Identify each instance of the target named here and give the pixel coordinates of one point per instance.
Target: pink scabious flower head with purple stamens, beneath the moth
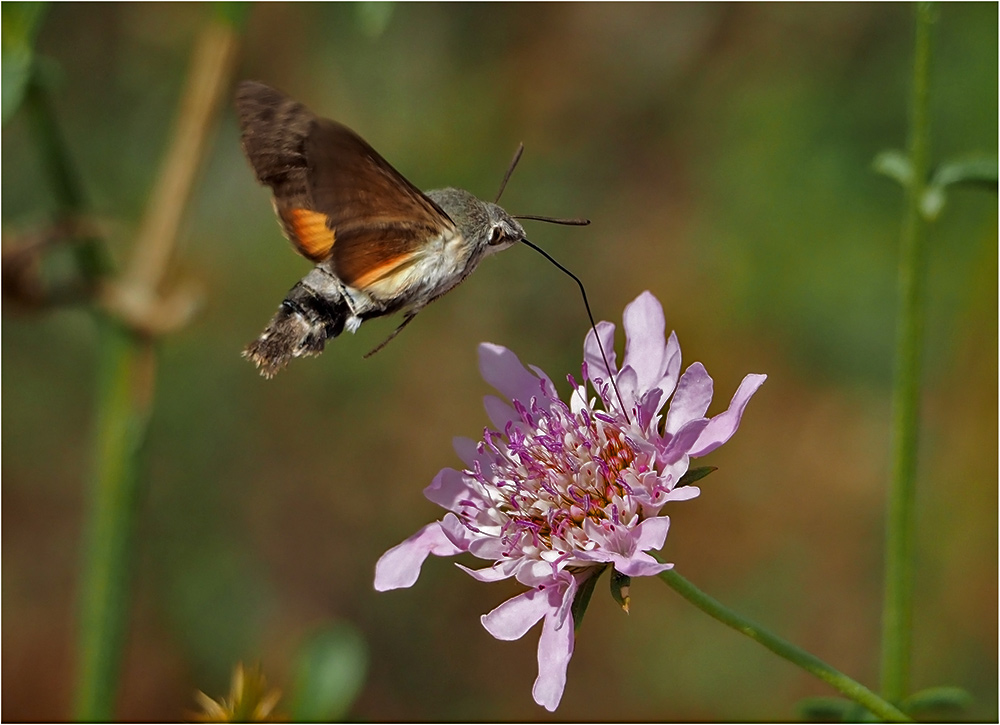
(556, 491)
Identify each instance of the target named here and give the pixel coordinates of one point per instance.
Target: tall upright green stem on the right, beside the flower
(897, 615)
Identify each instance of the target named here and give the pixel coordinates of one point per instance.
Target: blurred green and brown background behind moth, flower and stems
(724, 155)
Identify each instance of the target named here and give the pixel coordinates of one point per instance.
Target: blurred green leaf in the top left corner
(20, 25)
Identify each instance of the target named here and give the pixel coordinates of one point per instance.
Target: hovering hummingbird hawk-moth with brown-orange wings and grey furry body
(379, 244)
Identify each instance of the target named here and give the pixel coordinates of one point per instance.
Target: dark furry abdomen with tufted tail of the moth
(305, 320)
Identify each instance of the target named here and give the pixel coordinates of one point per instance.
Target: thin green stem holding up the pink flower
(797, 656)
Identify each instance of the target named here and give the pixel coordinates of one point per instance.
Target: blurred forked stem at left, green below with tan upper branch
(127, 312)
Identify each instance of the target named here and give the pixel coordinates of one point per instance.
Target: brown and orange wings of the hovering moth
(336, 197)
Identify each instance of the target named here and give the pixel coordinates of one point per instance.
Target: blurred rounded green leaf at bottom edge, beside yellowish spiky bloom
(329, 673)
